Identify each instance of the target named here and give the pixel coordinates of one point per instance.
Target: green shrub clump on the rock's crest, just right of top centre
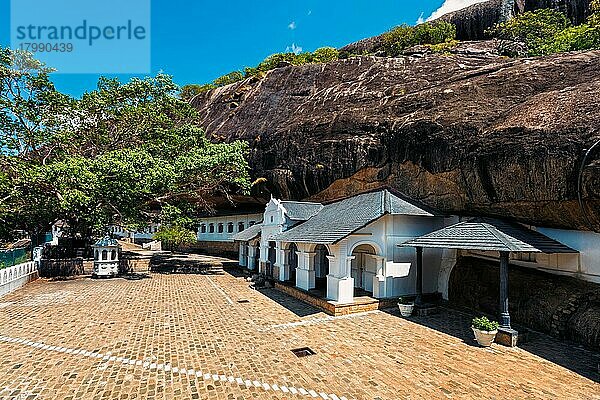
(405, 36)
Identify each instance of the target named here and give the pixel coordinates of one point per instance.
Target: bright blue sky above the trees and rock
(197, 41)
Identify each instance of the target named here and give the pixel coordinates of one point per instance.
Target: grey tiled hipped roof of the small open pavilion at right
(490, 234)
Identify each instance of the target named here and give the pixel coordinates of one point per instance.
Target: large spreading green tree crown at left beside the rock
(119, 154)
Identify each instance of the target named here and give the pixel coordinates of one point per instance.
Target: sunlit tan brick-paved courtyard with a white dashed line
(186, 336)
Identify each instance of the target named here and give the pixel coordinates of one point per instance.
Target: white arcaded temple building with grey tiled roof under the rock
(344, 246)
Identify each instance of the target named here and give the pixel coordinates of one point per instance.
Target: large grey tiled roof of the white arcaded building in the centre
(338, 220)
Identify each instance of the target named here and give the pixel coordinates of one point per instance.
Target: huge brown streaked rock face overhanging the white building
(466, 133)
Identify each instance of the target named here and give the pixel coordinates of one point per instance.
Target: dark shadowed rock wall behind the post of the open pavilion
(565, 307)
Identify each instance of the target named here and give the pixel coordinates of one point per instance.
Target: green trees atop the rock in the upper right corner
(548, 31)
